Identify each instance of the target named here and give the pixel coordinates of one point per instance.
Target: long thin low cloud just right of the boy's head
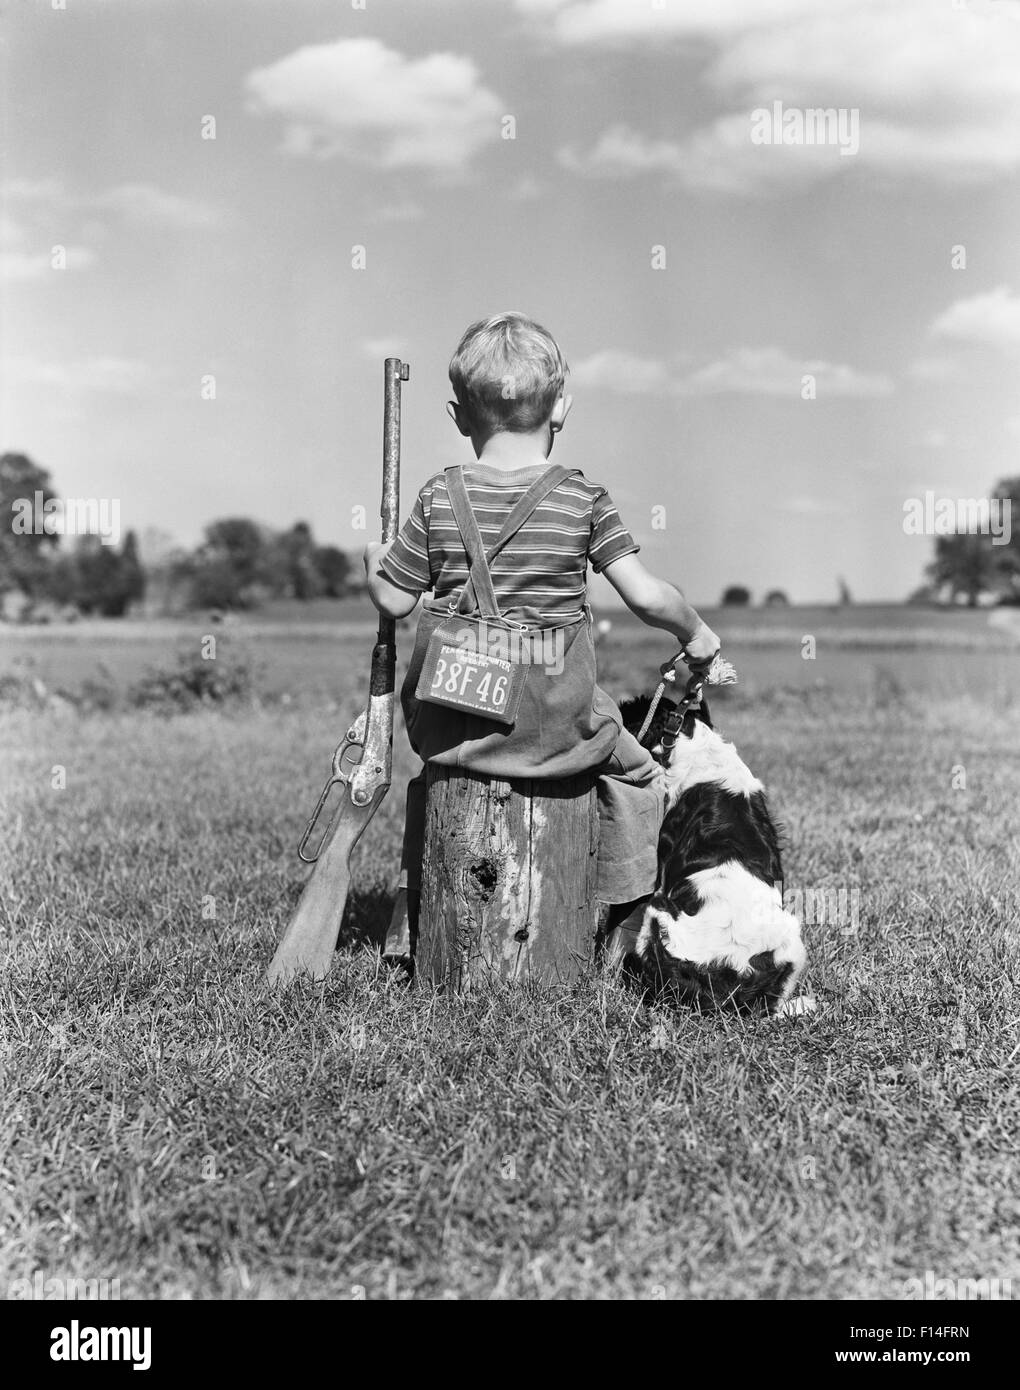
(748, 372)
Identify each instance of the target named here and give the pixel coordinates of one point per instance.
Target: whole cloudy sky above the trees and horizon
(209, 169)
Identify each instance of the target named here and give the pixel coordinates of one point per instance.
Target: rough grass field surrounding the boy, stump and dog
(170, 1124)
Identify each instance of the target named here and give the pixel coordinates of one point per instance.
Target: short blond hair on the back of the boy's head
(508, 373)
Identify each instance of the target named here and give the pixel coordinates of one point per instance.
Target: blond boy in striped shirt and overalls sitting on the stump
(509, 376)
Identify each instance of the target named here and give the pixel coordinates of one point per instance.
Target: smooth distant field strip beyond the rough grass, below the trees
(311, 653)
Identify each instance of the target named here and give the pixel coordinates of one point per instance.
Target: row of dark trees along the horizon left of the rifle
(240, 564)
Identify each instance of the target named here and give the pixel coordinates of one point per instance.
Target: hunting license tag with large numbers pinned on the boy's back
(458, 673)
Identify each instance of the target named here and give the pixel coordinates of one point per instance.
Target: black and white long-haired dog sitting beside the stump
(715, 933)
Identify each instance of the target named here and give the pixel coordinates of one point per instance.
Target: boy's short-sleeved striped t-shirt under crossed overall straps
(544, 566)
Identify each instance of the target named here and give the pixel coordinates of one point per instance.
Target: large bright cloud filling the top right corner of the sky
(937, 88)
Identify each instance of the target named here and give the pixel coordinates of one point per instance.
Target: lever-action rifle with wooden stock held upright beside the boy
(362, 764)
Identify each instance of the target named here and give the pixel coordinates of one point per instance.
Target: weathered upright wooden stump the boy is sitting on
(509, 879)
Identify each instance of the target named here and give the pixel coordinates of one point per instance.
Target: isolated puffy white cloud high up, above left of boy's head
(365, 102)
